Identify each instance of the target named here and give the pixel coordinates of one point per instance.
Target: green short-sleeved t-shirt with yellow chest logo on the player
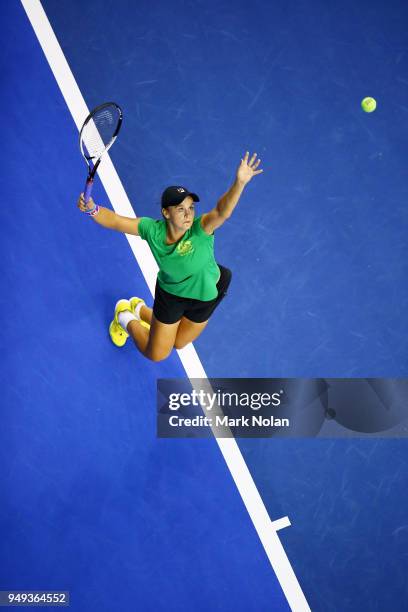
(187, 267)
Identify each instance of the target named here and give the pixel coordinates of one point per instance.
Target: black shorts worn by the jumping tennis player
(169, 308)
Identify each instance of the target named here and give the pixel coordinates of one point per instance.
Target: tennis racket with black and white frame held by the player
(97, 135)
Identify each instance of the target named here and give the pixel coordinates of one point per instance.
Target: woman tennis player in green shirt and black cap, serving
(190, 284)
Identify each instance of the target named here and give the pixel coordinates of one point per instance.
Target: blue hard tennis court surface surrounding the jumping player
(92, 501)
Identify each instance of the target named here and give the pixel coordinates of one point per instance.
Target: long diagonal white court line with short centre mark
(267, 530)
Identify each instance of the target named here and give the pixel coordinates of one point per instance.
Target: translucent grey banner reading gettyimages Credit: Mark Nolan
(272, 407)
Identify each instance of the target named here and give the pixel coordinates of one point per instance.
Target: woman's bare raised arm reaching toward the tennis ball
(223, 210)
